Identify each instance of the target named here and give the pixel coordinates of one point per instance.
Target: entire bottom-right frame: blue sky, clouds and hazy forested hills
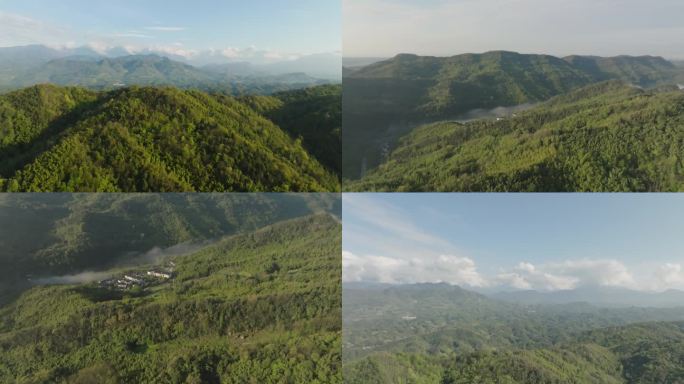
(512, 288)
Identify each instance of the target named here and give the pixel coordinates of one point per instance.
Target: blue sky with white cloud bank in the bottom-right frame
(546, 241)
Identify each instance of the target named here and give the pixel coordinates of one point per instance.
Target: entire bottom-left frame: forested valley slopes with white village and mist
(256, 297)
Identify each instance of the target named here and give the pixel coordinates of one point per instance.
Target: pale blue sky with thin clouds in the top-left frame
(285, 26)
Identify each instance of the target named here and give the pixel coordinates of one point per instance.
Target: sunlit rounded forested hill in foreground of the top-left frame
(147, 139)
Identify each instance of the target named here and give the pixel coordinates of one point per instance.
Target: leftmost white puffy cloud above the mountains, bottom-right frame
(440, 269)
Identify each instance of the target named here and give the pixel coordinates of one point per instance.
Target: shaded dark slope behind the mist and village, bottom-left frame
(53, 234)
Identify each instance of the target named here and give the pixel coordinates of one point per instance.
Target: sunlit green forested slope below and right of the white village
(258, 307)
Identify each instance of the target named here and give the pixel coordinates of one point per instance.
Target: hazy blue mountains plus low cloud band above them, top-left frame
(29, 65)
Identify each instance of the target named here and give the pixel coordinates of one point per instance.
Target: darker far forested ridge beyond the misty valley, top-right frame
(388, 99)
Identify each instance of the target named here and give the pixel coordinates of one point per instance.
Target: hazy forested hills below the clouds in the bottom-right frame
(441, 334)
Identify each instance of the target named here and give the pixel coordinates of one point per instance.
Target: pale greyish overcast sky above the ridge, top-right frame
(381, 28)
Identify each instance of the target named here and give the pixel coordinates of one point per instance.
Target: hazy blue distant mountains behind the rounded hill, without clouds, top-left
(26, 66)
